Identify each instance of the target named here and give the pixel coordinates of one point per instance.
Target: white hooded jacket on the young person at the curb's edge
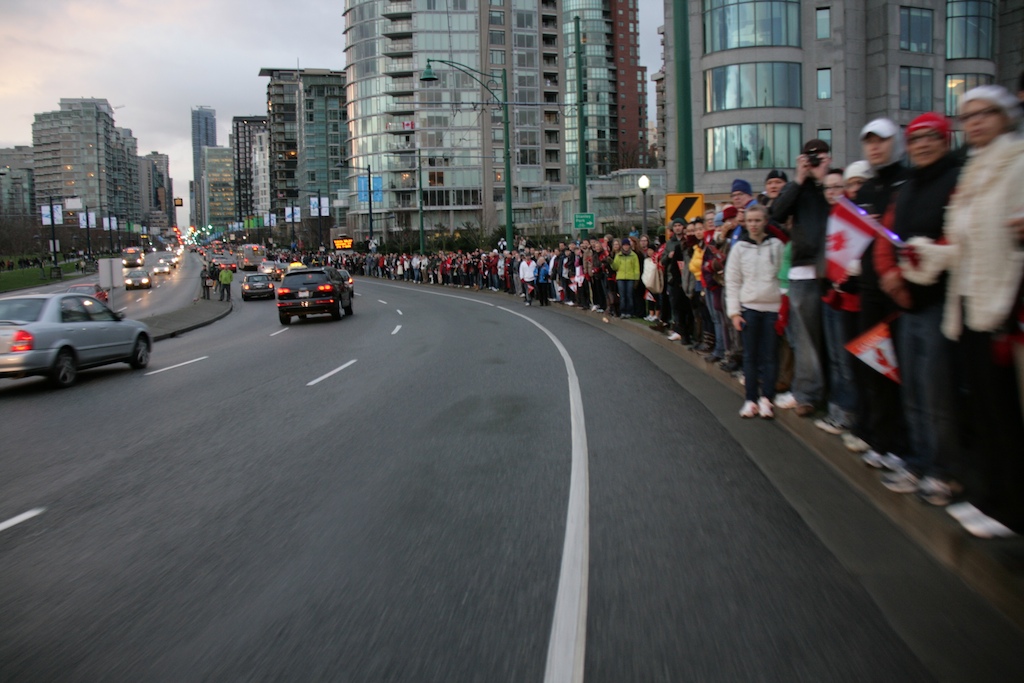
(752, 276)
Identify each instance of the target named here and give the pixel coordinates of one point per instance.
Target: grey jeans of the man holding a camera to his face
(805, 335)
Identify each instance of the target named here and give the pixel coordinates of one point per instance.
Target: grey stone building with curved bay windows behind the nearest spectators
(769, 75)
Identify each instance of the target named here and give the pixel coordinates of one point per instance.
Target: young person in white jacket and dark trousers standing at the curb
(753, 300)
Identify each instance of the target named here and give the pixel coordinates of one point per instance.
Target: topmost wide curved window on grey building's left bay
(732, 24)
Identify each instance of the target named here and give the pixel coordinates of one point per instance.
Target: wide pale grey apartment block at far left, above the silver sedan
(78, 152)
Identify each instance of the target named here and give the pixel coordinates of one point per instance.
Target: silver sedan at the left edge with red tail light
(56, 335)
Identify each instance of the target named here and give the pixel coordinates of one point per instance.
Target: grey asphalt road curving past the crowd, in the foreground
(386, 498)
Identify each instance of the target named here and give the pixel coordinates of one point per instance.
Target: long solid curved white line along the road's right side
(569, 627)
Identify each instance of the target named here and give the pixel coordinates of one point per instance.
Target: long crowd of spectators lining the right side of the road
(747, 286)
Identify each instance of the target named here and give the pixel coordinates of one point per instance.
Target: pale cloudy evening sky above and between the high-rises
(154, 62)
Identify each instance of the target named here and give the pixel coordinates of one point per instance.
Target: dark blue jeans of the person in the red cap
(927, 386)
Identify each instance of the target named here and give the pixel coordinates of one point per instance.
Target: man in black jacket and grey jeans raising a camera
(804, 201)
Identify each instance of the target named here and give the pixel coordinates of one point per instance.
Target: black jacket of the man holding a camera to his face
(809, 208)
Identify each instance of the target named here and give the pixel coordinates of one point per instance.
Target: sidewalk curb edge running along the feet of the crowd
(993, 569)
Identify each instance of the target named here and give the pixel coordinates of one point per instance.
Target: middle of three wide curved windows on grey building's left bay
(749, 86)
